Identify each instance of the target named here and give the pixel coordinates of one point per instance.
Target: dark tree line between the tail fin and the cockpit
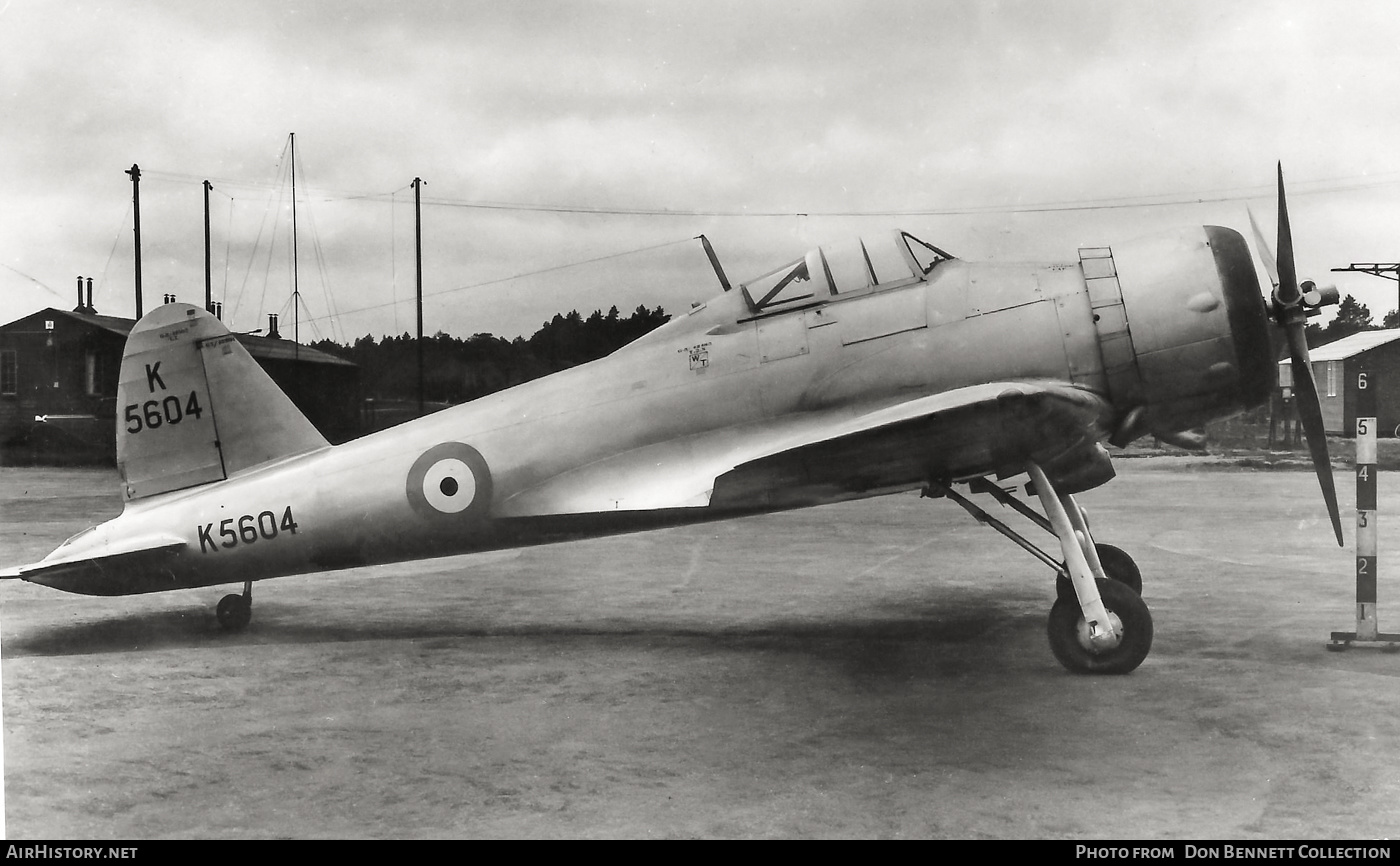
(458, 370)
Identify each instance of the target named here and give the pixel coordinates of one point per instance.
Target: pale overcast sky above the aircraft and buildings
(972, 125)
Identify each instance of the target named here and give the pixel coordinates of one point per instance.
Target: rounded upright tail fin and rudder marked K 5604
(195, 408)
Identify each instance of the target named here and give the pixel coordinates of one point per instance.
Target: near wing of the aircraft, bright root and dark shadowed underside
(820, 455)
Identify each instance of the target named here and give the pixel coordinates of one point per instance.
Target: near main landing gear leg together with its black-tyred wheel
(1107, 627)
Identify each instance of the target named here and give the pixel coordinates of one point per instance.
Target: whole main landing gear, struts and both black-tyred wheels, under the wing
(1098, 623)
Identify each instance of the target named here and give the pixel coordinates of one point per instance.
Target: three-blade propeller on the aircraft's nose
(1289, 311)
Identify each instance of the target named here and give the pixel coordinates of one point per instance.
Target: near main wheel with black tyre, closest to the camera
(1070, 634)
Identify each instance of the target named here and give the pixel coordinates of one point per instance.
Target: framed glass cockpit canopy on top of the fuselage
(839, 269)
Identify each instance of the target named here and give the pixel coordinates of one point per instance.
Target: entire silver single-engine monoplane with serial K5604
(863, 369)
